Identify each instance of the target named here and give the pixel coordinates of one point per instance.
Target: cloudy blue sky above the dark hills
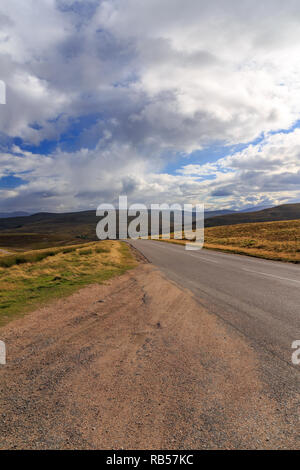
(165, 101)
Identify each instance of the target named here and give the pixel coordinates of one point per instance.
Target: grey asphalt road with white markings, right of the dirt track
(258, 298)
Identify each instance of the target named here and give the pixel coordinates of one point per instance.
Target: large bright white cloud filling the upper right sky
(229, 69)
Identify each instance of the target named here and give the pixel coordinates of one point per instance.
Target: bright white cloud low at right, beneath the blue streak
(266, 172)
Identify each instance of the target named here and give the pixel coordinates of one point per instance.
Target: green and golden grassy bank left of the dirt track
(30, 279)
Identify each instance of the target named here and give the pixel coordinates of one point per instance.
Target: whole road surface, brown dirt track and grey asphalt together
(138, 363)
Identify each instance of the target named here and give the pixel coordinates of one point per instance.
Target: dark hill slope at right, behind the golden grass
(272, 214)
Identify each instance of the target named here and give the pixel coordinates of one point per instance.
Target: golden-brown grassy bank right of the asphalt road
(278, 241)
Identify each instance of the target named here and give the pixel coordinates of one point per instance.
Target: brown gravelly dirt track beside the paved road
(133, 364)
